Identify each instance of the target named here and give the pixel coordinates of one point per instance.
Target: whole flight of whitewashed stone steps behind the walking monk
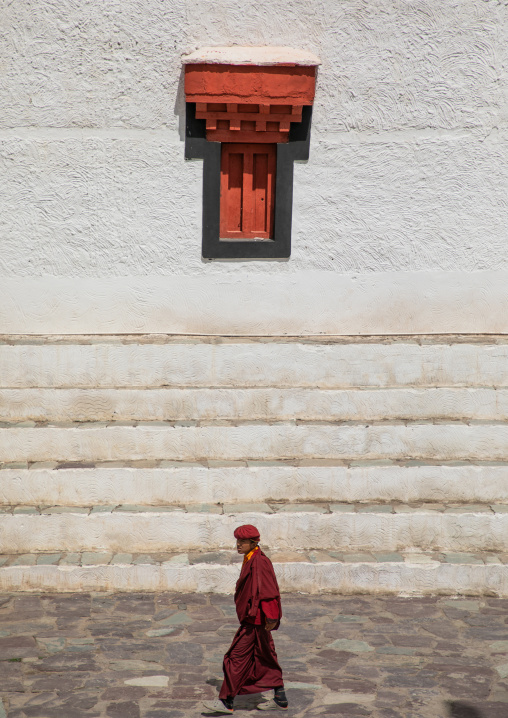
(369, 465)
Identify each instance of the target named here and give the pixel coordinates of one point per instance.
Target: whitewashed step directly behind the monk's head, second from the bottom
(298, 528)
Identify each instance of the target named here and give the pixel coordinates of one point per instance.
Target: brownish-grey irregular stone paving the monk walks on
(158, 655)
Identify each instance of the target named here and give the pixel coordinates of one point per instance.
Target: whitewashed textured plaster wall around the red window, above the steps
(407, 178)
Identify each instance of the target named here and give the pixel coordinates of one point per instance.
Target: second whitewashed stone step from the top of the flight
(239, 405)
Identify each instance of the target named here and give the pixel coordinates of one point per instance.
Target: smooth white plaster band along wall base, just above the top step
(293, 304)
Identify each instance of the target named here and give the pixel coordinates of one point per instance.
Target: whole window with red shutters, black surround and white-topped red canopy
(248, 118)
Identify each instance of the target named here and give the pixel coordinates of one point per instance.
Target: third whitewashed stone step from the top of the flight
(258, 442)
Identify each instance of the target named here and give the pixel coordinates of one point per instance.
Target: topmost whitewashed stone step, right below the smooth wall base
(252, 364)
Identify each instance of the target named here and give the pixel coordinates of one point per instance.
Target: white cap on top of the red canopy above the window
(241, 55)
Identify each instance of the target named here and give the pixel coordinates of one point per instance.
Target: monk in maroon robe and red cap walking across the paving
(250, 665)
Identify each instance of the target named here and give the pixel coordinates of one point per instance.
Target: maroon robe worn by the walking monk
(250, 665)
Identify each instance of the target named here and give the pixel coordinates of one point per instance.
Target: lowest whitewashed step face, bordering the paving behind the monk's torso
(360, 578)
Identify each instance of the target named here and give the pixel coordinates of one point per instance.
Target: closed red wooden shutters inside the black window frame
(247, 200)
